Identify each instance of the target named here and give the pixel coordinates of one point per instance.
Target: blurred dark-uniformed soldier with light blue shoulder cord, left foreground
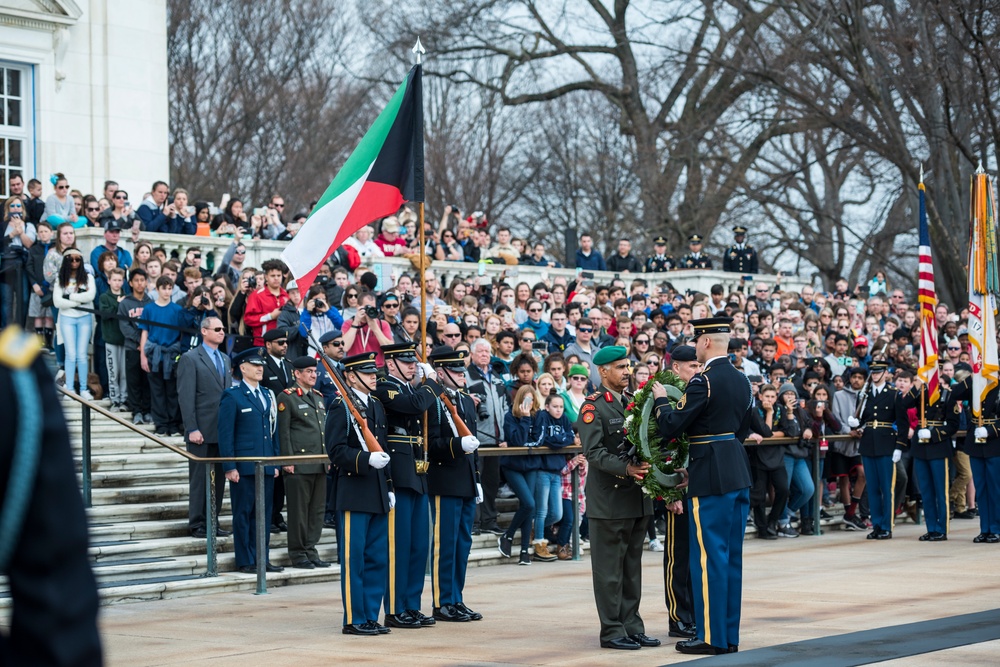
(43, 530)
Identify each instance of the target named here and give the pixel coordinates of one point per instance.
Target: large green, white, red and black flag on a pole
(385, 171)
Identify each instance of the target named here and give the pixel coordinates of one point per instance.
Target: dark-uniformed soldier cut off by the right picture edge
(982, 444)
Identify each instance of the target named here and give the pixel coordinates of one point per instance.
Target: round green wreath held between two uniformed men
(640, 429)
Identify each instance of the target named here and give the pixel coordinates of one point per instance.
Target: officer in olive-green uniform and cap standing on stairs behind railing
(301, 420)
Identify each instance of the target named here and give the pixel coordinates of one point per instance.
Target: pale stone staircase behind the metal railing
(140, 545)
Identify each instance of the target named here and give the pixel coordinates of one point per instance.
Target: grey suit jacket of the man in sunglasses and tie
(199, 390)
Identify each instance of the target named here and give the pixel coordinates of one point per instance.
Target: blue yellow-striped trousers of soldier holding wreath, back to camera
(717, 524)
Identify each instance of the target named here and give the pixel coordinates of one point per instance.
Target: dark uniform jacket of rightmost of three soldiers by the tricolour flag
(452, 472)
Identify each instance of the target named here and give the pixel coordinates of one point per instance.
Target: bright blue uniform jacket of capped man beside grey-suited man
(246, 428)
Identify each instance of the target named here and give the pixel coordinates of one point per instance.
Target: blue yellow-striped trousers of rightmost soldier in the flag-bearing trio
(452, 541)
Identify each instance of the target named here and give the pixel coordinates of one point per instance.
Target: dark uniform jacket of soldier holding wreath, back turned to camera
(716, 402)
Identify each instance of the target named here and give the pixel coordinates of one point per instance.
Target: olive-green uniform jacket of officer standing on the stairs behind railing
(301, 423)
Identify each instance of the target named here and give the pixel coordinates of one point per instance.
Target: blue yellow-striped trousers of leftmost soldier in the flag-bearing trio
(364, 565)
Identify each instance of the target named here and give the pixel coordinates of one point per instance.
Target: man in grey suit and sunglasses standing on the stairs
(202, 375)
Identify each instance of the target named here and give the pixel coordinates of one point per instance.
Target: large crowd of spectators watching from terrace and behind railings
(805, 351)
